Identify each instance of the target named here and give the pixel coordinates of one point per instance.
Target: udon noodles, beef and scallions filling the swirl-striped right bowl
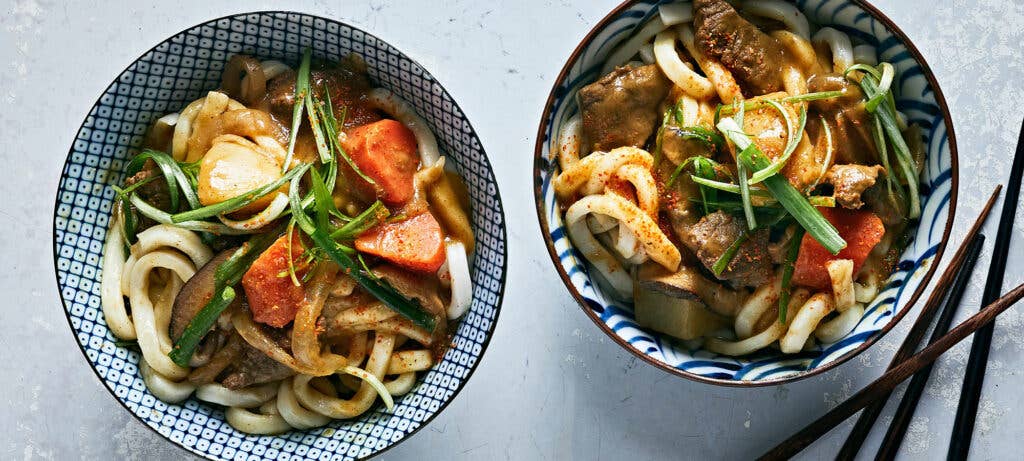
(740, 180)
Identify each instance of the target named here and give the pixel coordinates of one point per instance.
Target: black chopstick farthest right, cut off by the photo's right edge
(974, 378)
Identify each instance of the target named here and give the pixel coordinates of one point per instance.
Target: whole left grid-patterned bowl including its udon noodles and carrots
(277, 236)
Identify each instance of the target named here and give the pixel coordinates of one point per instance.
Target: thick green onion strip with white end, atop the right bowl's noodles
(808, 217)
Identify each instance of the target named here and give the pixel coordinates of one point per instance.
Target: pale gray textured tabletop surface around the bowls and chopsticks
(551, 386)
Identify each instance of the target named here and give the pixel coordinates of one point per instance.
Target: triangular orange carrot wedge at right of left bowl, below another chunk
(416, 244)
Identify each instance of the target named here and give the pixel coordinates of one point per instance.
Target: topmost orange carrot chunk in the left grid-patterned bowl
(387, 152)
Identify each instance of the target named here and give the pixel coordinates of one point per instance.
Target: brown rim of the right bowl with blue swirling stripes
(539, 164)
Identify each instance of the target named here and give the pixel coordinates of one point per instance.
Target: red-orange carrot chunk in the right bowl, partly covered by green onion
(862, 230)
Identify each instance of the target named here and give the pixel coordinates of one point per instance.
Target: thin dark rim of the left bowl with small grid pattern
(57, 203)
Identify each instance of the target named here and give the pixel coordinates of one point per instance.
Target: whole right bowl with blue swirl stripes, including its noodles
(746, 193)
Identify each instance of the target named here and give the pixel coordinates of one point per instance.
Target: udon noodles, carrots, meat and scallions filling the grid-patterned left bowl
(291, 247)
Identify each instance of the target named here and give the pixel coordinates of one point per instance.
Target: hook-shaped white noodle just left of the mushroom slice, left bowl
(152, 332)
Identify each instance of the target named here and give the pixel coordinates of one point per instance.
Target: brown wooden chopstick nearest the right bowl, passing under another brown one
(871, 414)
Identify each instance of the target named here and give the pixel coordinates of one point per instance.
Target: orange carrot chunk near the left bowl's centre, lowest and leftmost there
(273, 297)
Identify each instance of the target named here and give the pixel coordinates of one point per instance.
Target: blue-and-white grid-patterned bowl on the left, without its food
(172, 75)
